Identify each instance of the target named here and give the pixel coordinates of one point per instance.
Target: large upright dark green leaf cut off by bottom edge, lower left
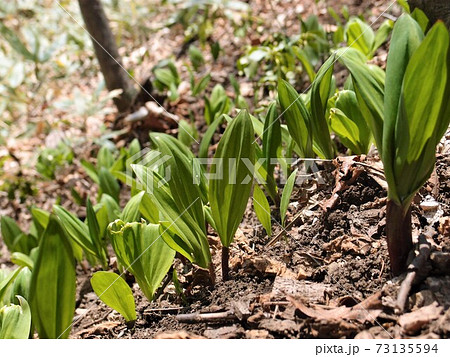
(52, 289)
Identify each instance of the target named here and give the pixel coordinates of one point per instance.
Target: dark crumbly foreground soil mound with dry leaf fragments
(335, 259)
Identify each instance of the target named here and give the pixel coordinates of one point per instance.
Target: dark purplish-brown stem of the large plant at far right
(399, 236)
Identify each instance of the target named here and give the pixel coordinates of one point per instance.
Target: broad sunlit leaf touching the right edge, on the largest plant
(416, 137)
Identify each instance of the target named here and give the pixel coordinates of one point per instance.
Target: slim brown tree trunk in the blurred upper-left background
(106, 52)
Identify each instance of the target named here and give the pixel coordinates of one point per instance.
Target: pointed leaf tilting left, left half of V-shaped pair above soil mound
(297, 116)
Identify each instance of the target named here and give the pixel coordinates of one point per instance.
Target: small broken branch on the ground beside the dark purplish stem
(413, 276)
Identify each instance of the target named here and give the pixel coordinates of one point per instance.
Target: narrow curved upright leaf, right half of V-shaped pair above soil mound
(320, 92)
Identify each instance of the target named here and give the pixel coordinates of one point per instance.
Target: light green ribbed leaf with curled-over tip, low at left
(141, 250)
